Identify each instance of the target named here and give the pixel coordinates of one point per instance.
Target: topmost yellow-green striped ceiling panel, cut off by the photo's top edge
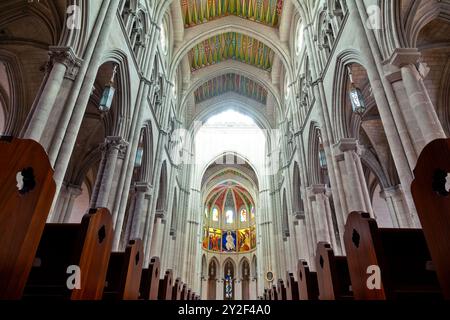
(196, 12)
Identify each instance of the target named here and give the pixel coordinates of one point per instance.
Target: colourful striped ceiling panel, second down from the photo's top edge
(231, 46)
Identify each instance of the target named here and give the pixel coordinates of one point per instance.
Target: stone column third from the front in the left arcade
(137, 226)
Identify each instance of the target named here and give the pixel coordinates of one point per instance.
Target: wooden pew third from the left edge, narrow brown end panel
(124, 273)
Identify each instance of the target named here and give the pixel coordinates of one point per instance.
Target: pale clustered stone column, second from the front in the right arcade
(355, 188)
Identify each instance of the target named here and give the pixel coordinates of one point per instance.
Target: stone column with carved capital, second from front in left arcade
(110, 149)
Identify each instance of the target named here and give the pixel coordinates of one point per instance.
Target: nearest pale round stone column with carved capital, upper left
(62, 60)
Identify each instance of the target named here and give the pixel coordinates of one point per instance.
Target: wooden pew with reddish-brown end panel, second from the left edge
(86, 245)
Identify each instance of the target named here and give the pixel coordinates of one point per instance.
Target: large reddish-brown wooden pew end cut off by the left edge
(23, 213)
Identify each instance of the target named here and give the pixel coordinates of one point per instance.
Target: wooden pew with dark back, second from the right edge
(401, 255)
